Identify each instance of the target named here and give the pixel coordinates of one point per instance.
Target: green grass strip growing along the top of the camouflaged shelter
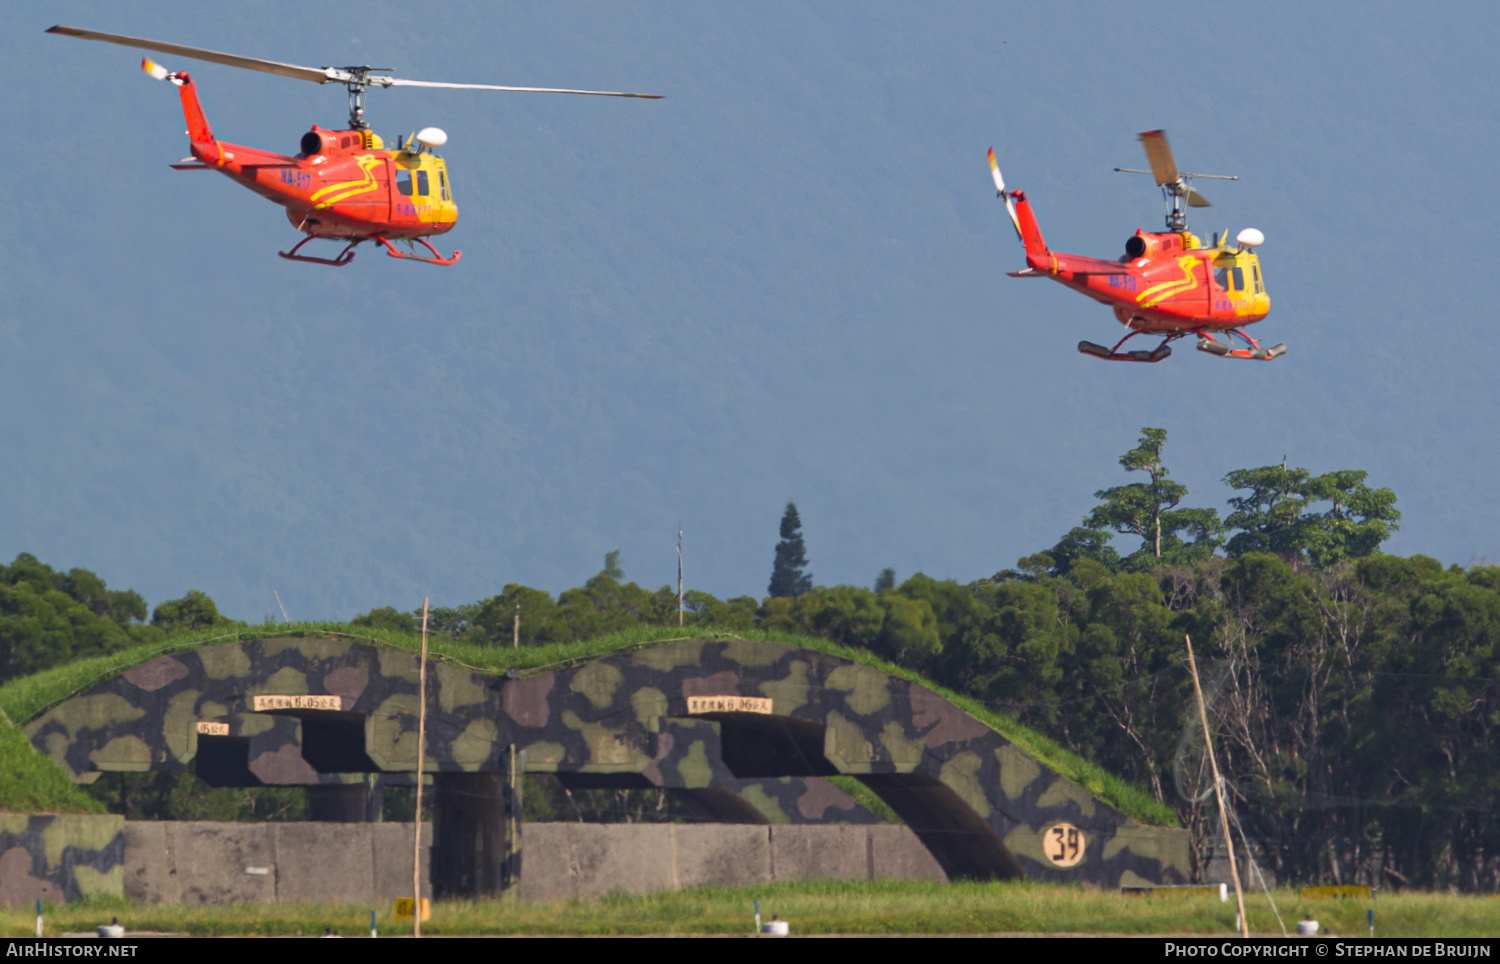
(26, 698)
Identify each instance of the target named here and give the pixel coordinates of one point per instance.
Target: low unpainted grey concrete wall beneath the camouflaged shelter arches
(199, 863)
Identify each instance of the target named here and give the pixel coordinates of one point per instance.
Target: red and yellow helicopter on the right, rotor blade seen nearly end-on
(1168, 283)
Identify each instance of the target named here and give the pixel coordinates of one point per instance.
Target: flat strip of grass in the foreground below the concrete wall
(820, 908)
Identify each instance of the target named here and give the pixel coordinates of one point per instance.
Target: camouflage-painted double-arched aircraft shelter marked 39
(742, 731)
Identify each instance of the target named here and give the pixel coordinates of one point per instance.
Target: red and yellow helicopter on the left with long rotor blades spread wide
(344, 185)
